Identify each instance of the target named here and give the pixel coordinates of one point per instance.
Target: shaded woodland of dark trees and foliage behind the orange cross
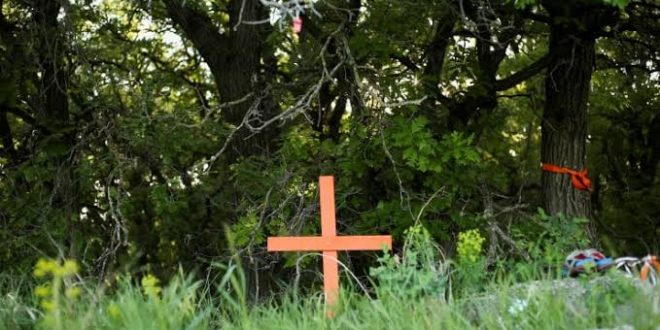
(138, 136)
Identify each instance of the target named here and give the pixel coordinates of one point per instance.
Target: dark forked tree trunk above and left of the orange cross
(234, 59)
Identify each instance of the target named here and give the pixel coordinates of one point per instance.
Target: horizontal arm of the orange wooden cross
(333, 243)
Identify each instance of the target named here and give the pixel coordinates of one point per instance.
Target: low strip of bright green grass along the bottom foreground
(602, 302)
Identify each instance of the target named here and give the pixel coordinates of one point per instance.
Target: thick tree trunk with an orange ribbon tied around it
(573, 31)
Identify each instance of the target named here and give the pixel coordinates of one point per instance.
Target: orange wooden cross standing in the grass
(329, 242)
